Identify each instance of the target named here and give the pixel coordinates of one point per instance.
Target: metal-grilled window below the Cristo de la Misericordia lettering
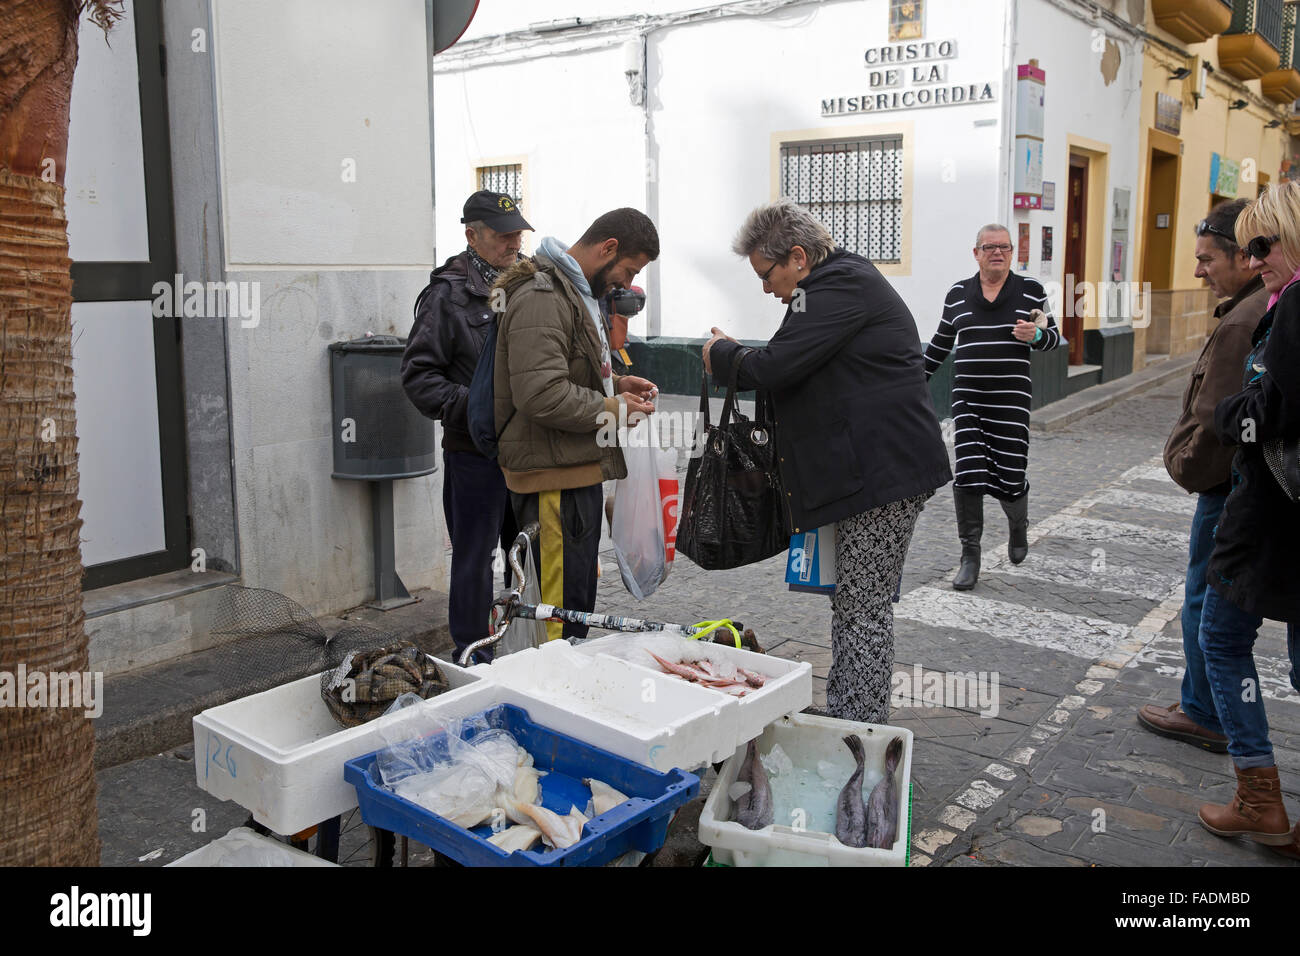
(855, 188)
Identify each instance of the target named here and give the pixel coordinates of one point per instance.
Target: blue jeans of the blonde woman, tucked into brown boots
(1228, 643)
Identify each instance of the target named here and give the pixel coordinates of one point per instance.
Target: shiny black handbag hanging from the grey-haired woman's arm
(734, 509)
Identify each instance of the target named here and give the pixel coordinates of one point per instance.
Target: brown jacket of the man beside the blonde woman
(1194, 456)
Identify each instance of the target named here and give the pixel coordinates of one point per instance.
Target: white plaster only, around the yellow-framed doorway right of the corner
(1078, 102)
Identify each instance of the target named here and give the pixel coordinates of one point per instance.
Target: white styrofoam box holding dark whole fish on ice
(808, 741)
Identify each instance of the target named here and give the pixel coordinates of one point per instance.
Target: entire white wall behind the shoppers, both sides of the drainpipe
(718, 93)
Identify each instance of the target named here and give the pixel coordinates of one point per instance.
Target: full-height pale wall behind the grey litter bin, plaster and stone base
(323, 124)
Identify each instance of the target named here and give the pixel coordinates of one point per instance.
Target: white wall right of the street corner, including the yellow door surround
(1093, 105)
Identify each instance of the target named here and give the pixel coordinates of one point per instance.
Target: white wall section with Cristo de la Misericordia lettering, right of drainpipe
(727, 94)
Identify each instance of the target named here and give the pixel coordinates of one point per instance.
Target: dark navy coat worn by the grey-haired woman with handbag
(856, 427)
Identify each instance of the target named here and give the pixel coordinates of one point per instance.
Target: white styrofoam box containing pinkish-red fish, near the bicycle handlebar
(788, 691)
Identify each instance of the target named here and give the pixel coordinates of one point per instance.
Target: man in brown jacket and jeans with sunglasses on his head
(1198, 461)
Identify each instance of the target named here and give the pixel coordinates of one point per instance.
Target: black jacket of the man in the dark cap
(452, 322)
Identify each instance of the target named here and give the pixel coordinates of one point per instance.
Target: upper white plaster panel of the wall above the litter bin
(306, 88)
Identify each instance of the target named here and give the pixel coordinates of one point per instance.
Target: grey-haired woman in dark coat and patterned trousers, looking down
(857, 438)
